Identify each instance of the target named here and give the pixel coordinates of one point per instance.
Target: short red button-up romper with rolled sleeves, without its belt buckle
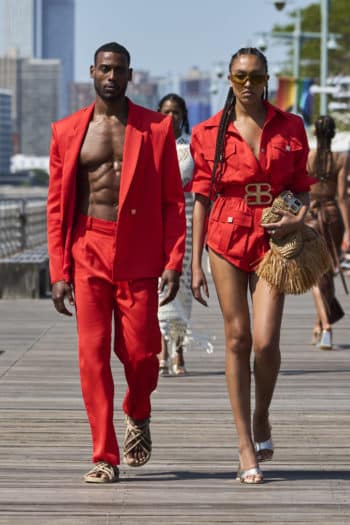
(234, 229)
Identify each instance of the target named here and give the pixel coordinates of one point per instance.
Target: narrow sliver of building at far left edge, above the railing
(5, 131)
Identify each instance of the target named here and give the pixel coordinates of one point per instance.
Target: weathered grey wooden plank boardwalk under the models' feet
(45, 440)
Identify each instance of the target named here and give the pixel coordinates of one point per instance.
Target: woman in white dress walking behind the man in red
(174, 317)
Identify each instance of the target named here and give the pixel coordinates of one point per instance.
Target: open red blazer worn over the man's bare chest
(151, 225)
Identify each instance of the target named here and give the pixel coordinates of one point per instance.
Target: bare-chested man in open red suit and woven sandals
(115, 224)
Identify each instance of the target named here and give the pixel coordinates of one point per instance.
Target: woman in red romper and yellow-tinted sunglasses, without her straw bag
(244, 157)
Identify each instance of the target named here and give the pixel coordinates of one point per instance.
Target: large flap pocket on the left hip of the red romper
(229, 231)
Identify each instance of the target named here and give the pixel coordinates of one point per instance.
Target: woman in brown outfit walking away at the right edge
(329, 214)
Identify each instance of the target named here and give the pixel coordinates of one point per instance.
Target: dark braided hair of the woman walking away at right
(325, 131)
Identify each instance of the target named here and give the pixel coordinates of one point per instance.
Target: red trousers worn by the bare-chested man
(132, 305)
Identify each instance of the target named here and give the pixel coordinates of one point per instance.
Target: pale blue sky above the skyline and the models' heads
(168, 38)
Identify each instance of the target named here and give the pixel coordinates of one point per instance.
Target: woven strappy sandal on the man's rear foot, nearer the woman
(137, 438)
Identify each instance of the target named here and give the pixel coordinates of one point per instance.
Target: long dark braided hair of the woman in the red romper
(227, 116)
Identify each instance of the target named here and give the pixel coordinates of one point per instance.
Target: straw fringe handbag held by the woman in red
(297, 261)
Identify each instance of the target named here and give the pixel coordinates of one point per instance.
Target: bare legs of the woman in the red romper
(231, 286)
